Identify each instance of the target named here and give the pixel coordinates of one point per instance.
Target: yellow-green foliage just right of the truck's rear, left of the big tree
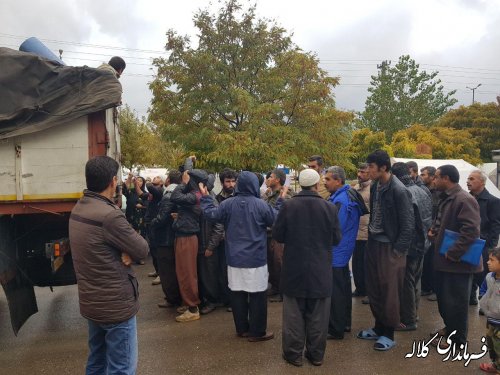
(141, 145)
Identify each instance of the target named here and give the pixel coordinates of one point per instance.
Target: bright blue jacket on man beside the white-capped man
(349, 213)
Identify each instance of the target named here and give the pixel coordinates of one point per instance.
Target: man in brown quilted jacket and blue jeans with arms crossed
(103, 245)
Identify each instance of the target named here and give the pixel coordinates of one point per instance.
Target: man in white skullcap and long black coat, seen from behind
(309, 227)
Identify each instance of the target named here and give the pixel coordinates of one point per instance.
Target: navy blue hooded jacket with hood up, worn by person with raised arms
(246, 218)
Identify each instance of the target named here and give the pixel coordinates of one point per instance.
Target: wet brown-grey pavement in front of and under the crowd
(54, 341)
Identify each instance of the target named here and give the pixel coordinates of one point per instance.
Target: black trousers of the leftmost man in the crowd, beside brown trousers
(168, 277)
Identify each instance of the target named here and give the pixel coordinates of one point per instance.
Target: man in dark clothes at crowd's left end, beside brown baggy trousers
(161, 227)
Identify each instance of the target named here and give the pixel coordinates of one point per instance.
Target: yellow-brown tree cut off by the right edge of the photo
(482, 121)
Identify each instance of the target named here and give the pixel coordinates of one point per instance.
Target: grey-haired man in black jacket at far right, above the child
(489, 209)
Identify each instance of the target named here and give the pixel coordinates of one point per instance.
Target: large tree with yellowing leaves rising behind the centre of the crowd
(245, 96)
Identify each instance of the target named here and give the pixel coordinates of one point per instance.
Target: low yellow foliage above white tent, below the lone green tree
(444, 143)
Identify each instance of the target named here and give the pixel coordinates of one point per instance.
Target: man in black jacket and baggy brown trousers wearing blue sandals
(390, 233)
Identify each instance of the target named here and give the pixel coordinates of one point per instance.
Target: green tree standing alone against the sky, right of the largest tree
(403, 95)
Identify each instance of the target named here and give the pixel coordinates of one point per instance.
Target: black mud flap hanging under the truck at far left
(22, 302)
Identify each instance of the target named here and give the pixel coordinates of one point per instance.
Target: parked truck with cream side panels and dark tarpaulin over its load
(53, 118)
